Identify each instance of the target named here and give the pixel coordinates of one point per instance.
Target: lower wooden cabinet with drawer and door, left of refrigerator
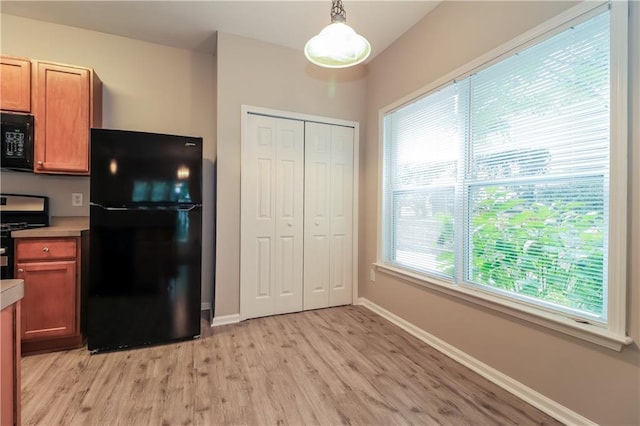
(50, 268)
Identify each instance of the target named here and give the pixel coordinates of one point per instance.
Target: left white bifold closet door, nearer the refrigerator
(271, 255)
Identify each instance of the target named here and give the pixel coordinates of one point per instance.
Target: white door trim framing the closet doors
(249, 109)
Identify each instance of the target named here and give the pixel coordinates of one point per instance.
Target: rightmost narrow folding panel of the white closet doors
(341, 217)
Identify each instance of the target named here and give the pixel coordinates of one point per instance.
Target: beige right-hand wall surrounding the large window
(598, 383)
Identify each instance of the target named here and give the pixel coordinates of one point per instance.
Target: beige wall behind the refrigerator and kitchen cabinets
(147, 87)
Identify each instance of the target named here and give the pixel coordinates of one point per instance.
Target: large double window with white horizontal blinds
(500, 182)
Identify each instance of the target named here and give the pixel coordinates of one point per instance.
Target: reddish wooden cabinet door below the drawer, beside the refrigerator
(49, 304)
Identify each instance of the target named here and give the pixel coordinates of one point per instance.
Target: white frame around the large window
(612, 334)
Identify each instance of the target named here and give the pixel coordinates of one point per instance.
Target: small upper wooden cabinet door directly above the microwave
(15, 81)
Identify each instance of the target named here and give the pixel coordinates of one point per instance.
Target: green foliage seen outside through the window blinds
(533, 245)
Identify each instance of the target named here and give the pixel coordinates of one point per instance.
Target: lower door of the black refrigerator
(145, 277)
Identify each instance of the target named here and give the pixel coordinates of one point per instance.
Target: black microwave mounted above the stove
(17, 141)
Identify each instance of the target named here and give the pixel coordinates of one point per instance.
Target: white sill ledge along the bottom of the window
(589, 332)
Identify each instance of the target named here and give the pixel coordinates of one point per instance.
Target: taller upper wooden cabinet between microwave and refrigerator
(67, 103)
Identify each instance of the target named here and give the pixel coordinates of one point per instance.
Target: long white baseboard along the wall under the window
(518, 389)
